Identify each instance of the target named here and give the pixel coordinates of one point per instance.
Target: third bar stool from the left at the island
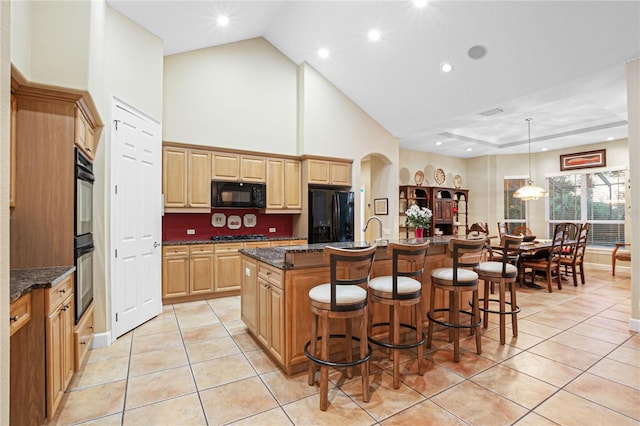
(455, 281)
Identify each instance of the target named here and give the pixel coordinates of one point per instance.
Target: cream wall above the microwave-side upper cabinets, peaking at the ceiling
(240, 95)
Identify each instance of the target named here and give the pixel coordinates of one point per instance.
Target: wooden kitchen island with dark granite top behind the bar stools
(275, 286)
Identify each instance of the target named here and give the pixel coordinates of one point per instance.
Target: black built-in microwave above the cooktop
(238, 194)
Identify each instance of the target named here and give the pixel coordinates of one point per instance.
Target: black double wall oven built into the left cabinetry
(83, 243)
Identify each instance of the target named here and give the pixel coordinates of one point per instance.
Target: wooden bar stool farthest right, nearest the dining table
(505, 274)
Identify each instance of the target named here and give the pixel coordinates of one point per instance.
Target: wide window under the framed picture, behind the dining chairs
(596, 197)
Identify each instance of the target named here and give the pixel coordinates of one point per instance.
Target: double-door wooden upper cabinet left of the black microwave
(186, 182)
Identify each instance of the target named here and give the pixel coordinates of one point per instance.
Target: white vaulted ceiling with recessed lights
(561, 63)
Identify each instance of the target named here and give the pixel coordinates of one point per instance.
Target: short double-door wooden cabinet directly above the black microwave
(238, 167)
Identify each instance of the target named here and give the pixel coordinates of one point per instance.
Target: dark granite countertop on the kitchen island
(277, 256)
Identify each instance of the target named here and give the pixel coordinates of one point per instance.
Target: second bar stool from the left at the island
(398, 290)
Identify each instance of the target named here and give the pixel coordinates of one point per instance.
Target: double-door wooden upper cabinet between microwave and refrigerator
(284, 185)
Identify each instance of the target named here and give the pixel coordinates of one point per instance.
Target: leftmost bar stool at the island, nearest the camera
(342, 298)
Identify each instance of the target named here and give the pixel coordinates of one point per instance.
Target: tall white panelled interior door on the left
(136, 227)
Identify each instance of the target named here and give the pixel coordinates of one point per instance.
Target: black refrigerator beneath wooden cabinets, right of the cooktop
(330, 216)
